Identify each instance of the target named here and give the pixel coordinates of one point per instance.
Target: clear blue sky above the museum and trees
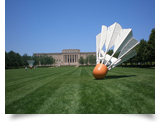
(48, 26)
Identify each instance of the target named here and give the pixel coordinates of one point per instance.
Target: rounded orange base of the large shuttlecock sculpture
(100, 71)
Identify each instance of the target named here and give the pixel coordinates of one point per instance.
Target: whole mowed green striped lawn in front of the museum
(71, 90)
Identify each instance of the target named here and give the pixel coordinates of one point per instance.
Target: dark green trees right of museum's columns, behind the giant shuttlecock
(145, 53)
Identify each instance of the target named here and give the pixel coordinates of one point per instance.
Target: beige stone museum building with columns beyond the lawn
(67, 56)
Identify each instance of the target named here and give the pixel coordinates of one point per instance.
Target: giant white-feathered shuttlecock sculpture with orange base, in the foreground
(118, 39)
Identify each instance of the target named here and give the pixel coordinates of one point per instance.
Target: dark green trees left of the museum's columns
(15, 60)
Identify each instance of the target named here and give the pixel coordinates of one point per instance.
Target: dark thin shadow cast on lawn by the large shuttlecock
(115, 77)
